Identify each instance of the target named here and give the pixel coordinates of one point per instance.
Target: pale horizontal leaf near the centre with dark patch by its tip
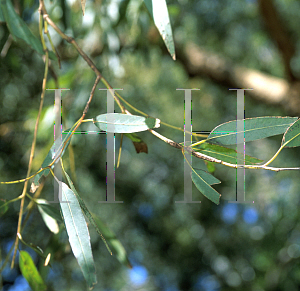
(125, 123)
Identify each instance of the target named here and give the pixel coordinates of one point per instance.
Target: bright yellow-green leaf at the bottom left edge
(30, 272)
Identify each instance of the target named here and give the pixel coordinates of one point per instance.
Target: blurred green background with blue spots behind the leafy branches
(253, 246)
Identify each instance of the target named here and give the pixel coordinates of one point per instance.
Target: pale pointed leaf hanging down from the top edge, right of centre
(159, 12)
